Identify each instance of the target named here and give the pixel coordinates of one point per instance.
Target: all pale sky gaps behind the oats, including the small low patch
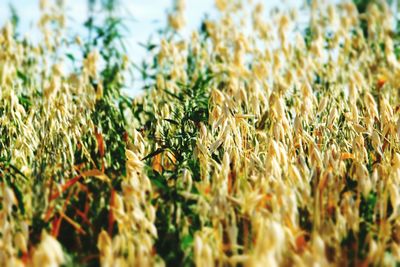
(142, 19)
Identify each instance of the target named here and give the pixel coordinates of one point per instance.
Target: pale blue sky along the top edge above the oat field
(148, 15)
